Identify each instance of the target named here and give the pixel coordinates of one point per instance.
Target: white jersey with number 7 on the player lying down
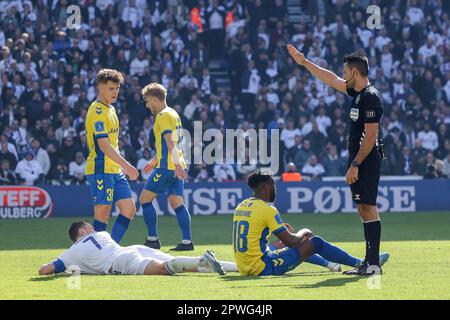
(92, 254)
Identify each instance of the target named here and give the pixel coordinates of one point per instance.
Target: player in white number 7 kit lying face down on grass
(97, 253)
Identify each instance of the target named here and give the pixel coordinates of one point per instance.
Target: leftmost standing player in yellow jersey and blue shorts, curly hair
(105, 167)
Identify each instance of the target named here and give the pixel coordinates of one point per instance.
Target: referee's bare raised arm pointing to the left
(326, 76)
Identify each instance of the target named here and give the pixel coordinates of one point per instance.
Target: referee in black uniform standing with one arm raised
(365, 153)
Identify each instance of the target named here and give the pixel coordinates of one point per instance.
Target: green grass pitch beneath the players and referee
(419, 244)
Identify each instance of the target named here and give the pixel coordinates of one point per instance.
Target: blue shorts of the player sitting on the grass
(278, 262)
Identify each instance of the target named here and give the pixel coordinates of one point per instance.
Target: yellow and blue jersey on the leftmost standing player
(101, 122)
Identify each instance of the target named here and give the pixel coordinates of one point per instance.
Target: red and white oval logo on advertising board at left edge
(21, 202)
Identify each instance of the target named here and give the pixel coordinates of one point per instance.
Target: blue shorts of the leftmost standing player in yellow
(107, 188)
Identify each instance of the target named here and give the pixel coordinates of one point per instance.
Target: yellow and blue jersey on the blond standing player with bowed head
(167, 120)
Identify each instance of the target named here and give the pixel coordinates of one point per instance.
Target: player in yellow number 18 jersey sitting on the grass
(255, 220)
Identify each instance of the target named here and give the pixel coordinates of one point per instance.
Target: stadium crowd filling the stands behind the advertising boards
(48, 67)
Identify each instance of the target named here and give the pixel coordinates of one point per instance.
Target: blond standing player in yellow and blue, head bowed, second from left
(169, 173)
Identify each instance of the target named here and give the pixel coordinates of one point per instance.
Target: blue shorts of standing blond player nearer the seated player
(164, 181)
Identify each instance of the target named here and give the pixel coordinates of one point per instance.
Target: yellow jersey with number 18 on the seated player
(254, 221)
